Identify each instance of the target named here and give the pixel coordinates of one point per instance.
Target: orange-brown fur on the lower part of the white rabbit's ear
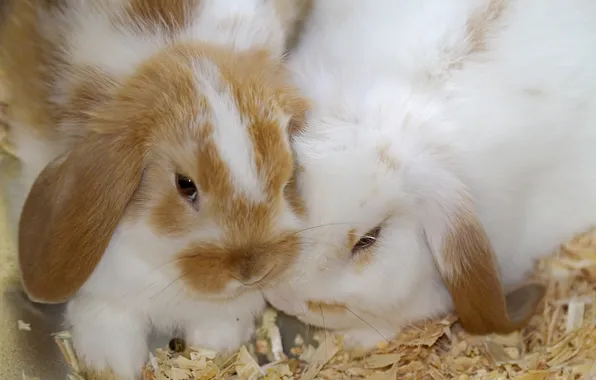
(475, 285)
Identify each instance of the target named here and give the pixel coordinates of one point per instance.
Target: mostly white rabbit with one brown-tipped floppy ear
(448, 147)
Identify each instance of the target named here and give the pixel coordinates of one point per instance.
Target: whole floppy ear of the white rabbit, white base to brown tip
(469, 269)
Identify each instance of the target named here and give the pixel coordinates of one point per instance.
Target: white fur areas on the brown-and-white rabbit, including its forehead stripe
(136, 286)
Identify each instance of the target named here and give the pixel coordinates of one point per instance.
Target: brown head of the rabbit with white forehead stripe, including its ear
(185, 162)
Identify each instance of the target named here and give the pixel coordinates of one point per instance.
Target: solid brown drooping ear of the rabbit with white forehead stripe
(71, 213)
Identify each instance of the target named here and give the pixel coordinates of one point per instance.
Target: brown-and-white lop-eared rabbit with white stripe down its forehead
(154, 189)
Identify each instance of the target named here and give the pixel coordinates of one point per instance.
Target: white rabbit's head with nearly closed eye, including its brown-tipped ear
(392, 230)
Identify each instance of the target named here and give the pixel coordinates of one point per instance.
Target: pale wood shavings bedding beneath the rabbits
(559, 343)
